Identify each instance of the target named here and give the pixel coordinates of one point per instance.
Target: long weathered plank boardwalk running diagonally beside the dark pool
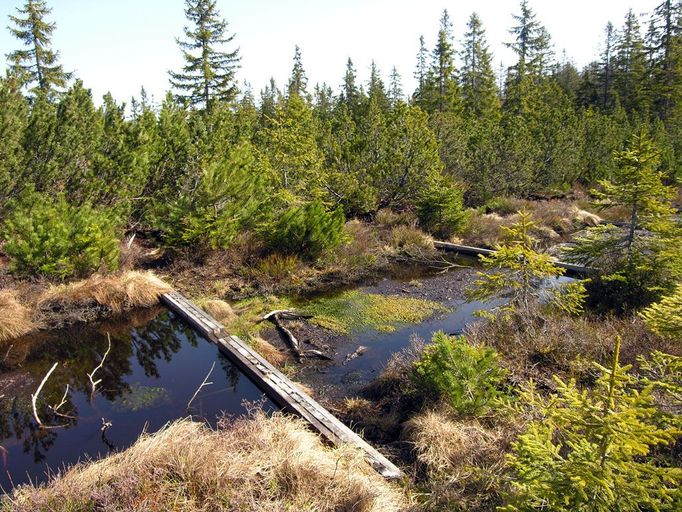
(275, 385)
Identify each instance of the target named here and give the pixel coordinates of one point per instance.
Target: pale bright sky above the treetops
(121, 45)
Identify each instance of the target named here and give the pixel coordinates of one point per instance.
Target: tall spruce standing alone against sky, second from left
(209, 72)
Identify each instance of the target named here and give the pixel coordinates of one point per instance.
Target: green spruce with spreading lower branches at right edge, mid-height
(641, 261)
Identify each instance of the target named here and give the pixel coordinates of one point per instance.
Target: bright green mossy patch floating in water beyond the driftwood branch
(354, 310)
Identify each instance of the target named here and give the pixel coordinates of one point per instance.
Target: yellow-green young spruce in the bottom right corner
(593, 449)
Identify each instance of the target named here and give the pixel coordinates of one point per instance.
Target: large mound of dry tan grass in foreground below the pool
(258, 464)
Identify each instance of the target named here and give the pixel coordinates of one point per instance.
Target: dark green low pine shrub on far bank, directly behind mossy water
(306, 230)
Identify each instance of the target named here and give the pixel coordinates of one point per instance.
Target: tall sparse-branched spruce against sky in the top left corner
(37, 65)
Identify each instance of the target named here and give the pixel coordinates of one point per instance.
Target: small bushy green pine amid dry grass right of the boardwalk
(469, 378)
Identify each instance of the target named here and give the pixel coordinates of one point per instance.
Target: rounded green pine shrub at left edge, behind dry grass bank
(52, 237)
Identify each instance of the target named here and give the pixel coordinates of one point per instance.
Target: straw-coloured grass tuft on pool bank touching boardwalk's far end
(117, 292)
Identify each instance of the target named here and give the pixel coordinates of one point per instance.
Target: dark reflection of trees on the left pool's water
(152, 338)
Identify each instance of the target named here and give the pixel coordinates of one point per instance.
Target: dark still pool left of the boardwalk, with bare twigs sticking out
(155, 365)
